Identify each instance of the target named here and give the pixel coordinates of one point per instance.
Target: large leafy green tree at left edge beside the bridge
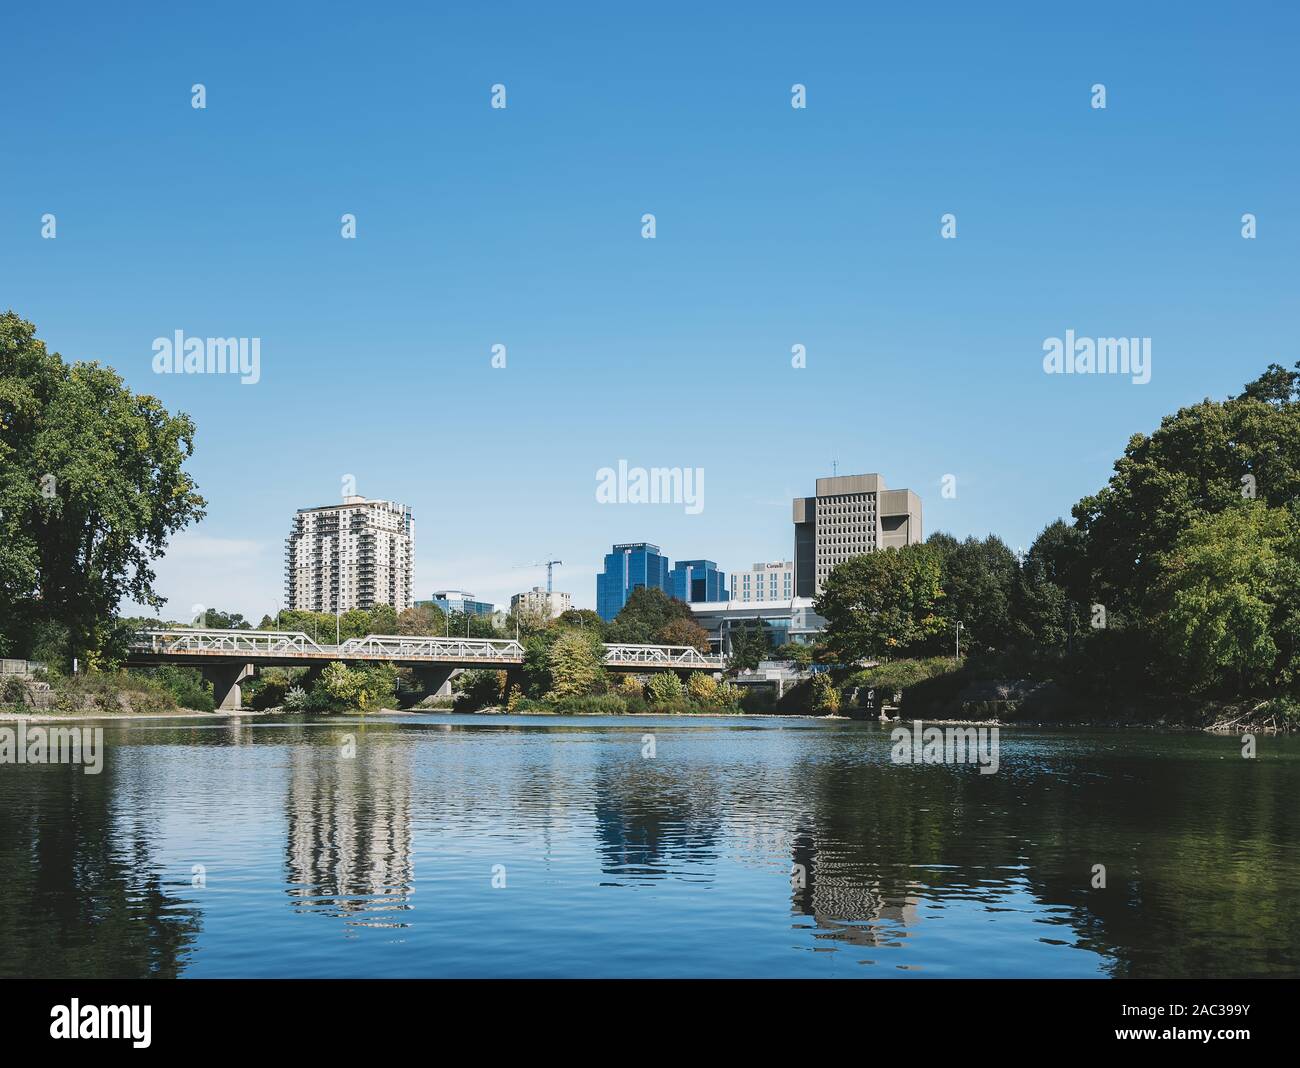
(92, 489)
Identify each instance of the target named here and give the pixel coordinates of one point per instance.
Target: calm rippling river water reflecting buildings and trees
(619, 865)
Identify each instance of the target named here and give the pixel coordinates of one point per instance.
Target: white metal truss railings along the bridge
(255, 644)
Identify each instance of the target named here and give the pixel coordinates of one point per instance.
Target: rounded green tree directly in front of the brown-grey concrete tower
(886, 604)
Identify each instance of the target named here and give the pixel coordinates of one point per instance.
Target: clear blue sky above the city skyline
(522, 227)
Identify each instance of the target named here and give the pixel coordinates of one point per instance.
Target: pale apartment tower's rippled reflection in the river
(349, 843)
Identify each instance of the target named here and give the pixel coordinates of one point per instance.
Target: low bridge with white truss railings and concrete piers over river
(229, 657)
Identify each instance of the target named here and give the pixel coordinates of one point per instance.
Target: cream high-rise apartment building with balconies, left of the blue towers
(352, 555)
